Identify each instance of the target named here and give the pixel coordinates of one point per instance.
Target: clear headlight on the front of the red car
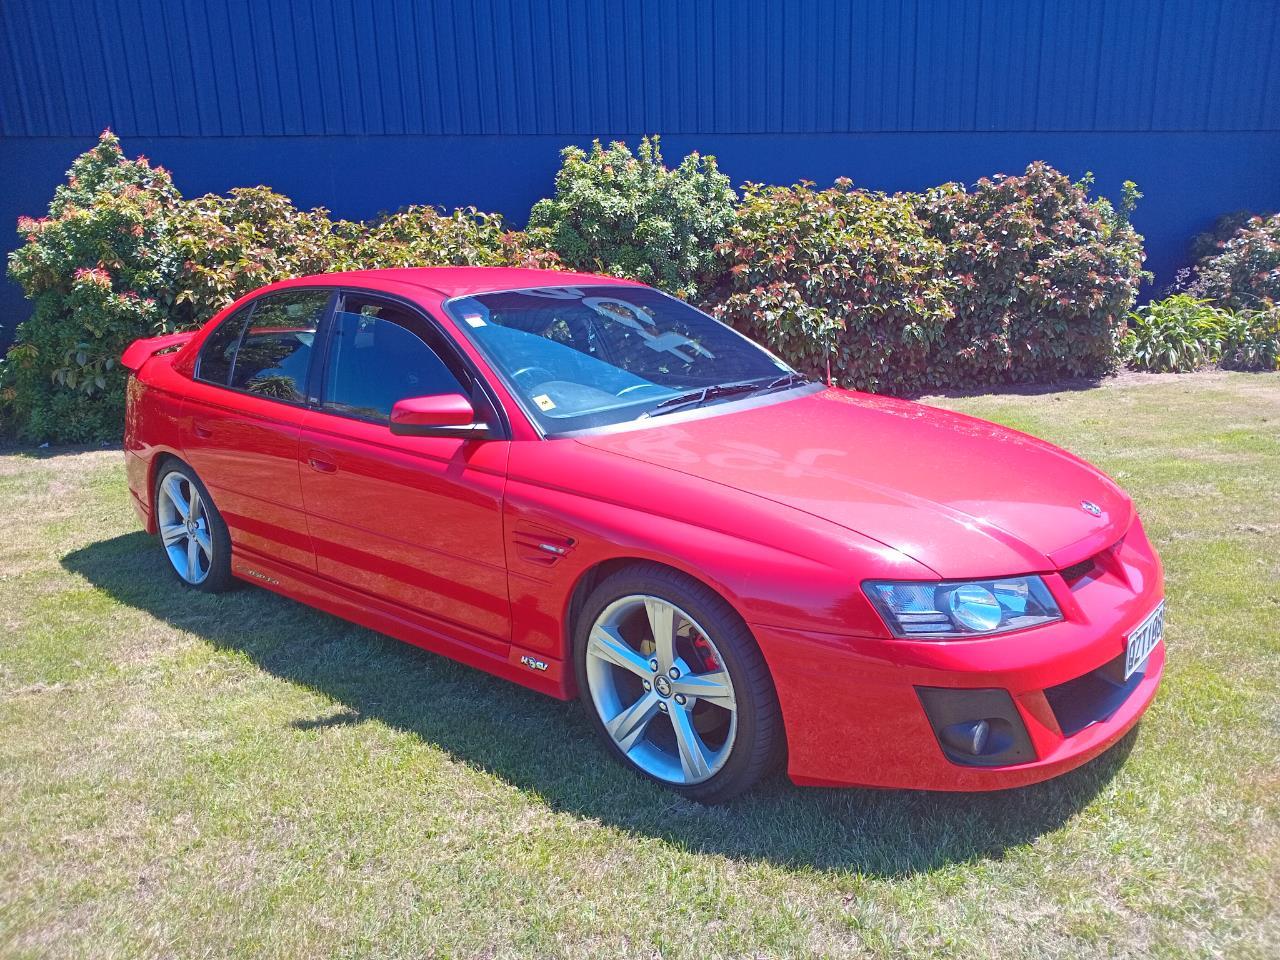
(968, 609)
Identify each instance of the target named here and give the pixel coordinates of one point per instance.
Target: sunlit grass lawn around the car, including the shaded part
(241, 776)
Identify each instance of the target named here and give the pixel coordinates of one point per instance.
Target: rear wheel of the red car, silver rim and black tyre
(193, 533)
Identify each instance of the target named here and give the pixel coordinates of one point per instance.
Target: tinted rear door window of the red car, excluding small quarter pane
(276, 350)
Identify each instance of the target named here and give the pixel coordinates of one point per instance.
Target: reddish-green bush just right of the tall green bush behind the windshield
(842, 282)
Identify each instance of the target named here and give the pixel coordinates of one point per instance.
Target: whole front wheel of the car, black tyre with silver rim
(676, 685)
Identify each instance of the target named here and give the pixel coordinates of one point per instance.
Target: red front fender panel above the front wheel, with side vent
(570, 509)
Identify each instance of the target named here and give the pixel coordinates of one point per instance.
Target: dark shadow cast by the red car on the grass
(547, 748)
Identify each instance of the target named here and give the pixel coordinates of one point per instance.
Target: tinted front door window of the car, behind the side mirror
(377, 359)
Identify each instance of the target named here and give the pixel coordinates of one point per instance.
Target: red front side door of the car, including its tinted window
(412, 520)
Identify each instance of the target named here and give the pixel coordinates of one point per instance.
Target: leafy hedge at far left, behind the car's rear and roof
(122, 255)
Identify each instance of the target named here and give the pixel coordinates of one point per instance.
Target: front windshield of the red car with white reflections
(592, 356)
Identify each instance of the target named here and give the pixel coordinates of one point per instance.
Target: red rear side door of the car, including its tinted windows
(243, 419)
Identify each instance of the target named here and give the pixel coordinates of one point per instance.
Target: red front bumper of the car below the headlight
(853, 706)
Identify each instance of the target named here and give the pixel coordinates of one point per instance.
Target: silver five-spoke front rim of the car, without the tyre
(661, 689)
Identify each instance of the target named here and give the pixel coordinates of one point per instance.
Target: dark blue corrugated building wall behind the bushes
(363, 106)
